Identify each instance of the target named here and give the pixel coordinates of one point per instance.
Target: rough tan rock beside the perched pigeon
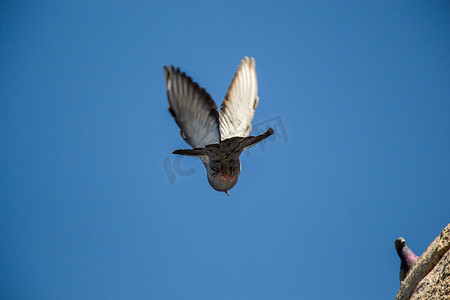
(430, 276)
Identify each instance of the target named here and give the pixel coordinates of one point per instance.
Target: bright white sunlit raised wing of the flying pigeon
(238, 107)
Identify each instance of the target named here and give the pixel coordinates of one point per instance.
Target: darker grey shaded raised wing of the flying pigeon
(192, 108)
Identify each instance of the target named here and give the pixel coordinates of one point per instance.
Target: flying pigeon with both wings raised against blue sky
(217, 138)
